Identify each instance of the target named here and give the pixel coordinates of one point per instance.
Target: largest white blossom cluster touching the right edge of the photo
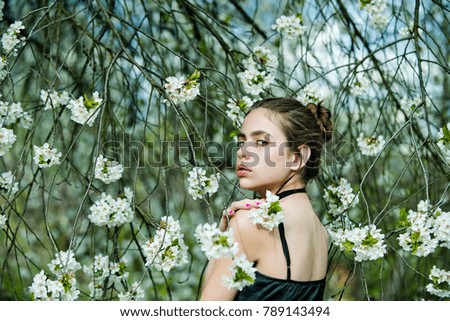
(425, 229)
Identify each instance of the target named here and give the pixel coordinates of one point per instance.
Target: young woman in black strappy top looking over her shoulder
(279, 151)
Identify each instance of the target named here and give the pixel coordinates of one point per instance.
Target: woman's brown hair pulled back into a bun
(309, 125)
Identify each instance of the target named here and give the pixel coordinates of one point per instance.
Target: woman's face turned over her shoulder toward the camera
(265, 160)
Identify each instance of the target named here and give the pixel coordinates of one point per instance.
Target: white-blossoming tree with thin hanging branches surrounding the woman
(117, 142)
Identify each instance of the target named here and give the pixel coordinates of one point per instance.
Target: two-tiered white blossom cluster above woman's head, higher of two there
(255, 78)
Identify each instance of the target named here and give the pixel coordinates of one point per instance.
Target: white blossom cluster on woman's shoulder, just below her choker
(269, 214)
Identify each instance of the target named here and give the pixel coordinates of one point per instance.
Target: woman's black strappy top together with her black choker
(267, 288)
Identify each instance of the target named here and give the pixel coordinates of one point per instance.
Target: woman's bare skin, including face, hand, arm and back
(306, 236)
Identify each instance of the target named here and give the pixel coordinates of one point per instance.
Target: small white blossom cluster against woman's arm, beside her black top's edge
(243, 273)
